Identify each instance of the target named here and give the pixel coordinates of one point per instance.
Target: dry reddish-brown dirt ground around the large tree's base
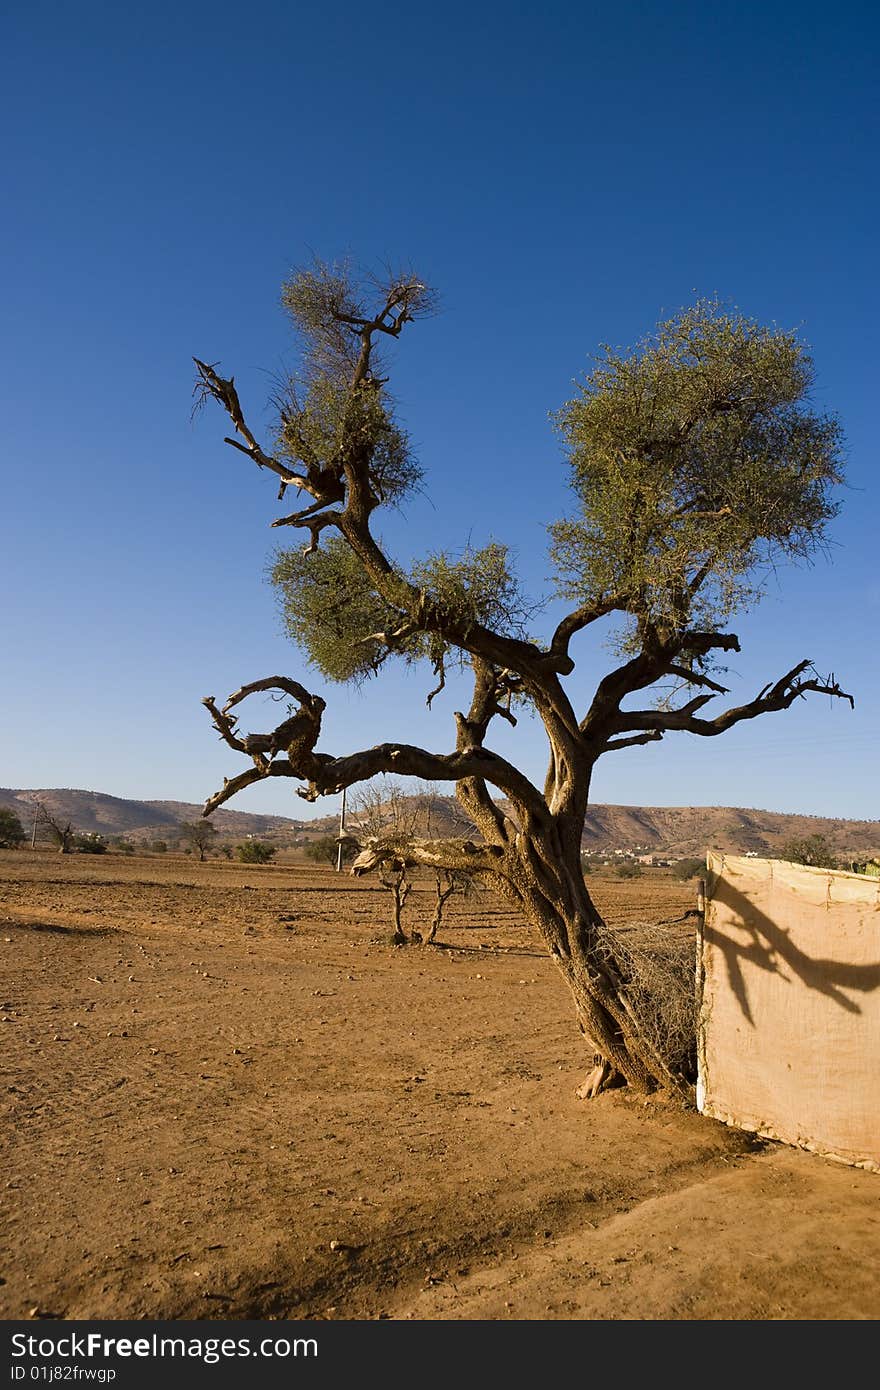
(227, 1096)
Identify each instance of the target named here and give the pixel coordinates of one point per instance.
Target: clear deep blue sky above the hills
(565, 174)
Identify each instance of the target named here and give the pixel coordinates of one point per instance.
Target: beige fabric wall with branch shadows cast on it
(789, 968)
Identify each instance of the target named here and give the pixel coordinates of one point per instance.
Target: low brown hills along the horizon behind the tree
(671, 831)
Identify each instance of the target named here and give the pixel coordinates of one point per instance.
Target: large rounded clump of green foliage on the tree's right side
(697, 465)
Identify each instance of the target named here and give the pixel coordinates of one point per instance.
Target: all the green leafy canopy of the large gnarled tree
(696, 464)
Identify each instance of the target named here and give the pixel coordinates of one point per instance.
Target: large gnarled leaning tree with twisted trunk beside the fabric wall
(696, 462)
